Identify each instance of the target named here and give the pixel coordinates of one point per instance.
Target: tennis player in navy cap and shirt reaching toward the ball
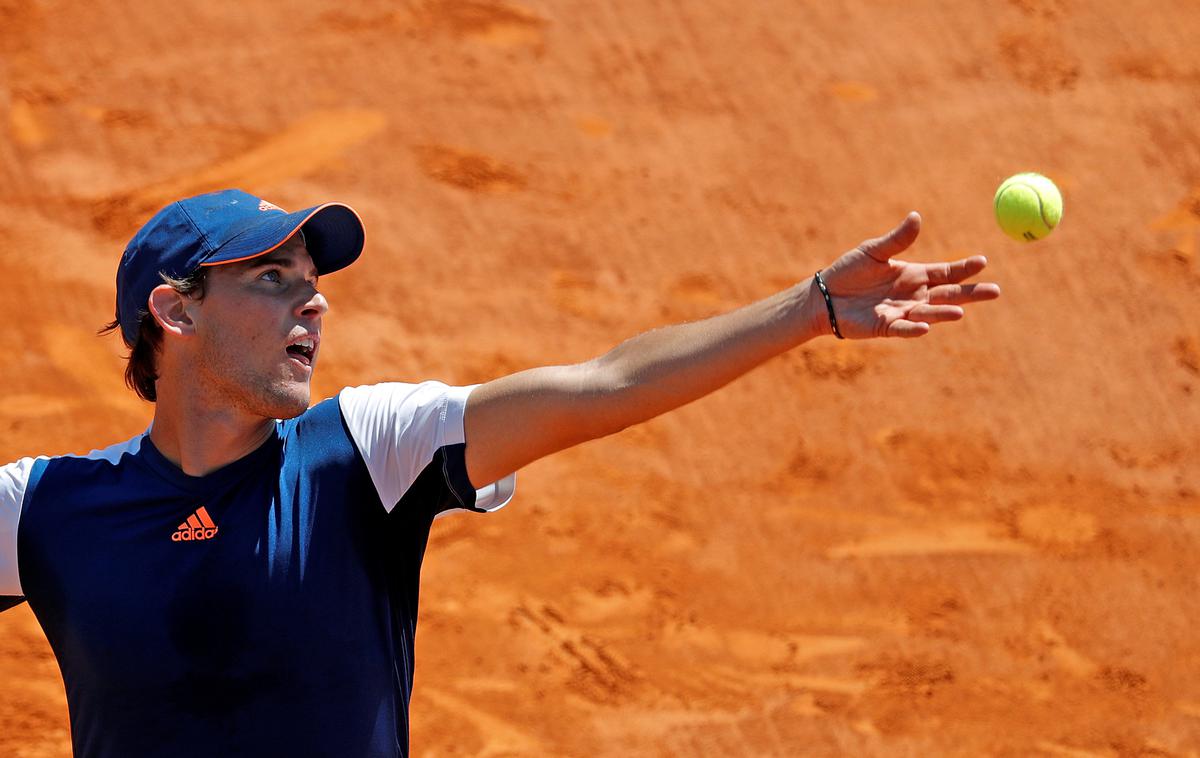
(242, 579)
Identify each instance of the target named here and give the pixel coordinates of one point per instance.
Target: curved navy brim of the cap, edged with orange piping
(333, 234)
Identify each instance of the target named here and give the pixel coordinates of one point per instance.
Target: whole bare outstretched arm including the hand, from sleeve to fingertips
(532, 414)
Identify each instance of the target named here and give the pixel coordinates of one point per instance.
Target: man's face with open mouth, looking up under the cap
(259, 332)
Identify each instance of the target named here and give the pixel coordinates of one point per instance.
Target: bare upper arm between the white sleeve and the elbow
(519, 419)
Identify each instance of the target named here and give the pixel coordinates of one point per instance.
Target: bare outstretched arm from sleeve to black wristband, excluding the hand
(519, 419)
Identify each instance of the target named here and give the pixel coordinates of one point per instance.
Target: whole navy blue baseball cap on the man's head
(226, 227)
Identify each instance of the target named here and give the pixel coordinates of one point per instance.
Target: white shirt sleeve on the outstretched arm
(400, 430)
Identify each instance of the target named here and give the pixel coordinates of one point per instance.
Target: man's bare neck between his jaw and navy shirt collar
(201, 438)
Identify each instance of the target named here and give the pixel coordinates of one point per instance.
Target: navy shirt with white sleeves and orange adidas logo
(267, 609)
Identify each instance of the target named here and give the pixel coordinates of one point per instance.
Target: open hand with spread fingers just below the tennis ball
(874, 296)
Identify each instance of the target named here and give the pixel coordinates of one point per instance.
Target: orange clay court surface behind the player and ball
(983, 543)
